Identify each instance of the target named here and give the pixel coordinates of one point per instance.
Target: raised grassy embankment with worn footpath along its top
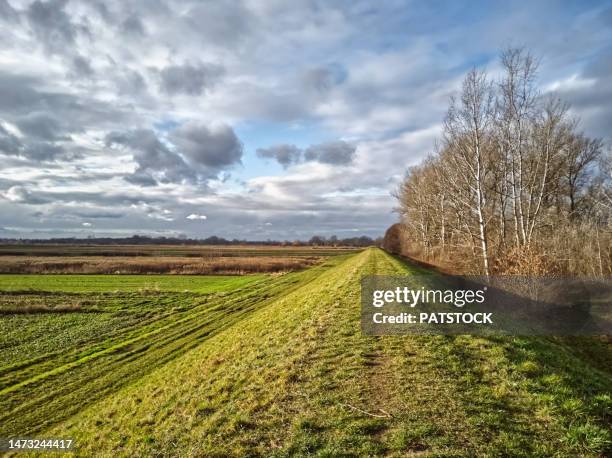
(298, 378)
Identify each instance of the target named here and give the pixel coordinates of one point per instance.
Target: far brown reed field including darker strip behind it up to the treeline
(184, 260)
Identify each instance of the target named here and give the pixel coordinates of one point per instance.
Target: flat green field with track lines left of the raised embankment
(53, 364)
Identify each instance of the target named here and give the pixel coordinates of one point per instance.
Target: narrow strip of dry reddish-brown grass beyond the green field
(153, 265)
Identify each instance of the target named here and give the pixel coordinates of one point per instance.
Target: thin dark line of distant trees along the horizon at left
(361, 241)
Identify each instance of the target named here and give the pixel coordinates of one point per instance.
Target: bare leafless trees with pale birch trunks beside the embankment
(514, 186)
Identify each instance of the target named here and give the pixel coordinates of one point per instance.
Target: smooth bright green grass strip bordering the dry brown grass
(110, 283)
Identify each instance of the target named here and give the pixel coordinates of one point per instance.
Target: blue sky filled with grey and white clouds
(254, 119)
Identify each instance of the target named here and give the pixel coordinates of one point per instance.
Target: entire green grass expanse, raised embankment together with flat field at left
(276, 365)
